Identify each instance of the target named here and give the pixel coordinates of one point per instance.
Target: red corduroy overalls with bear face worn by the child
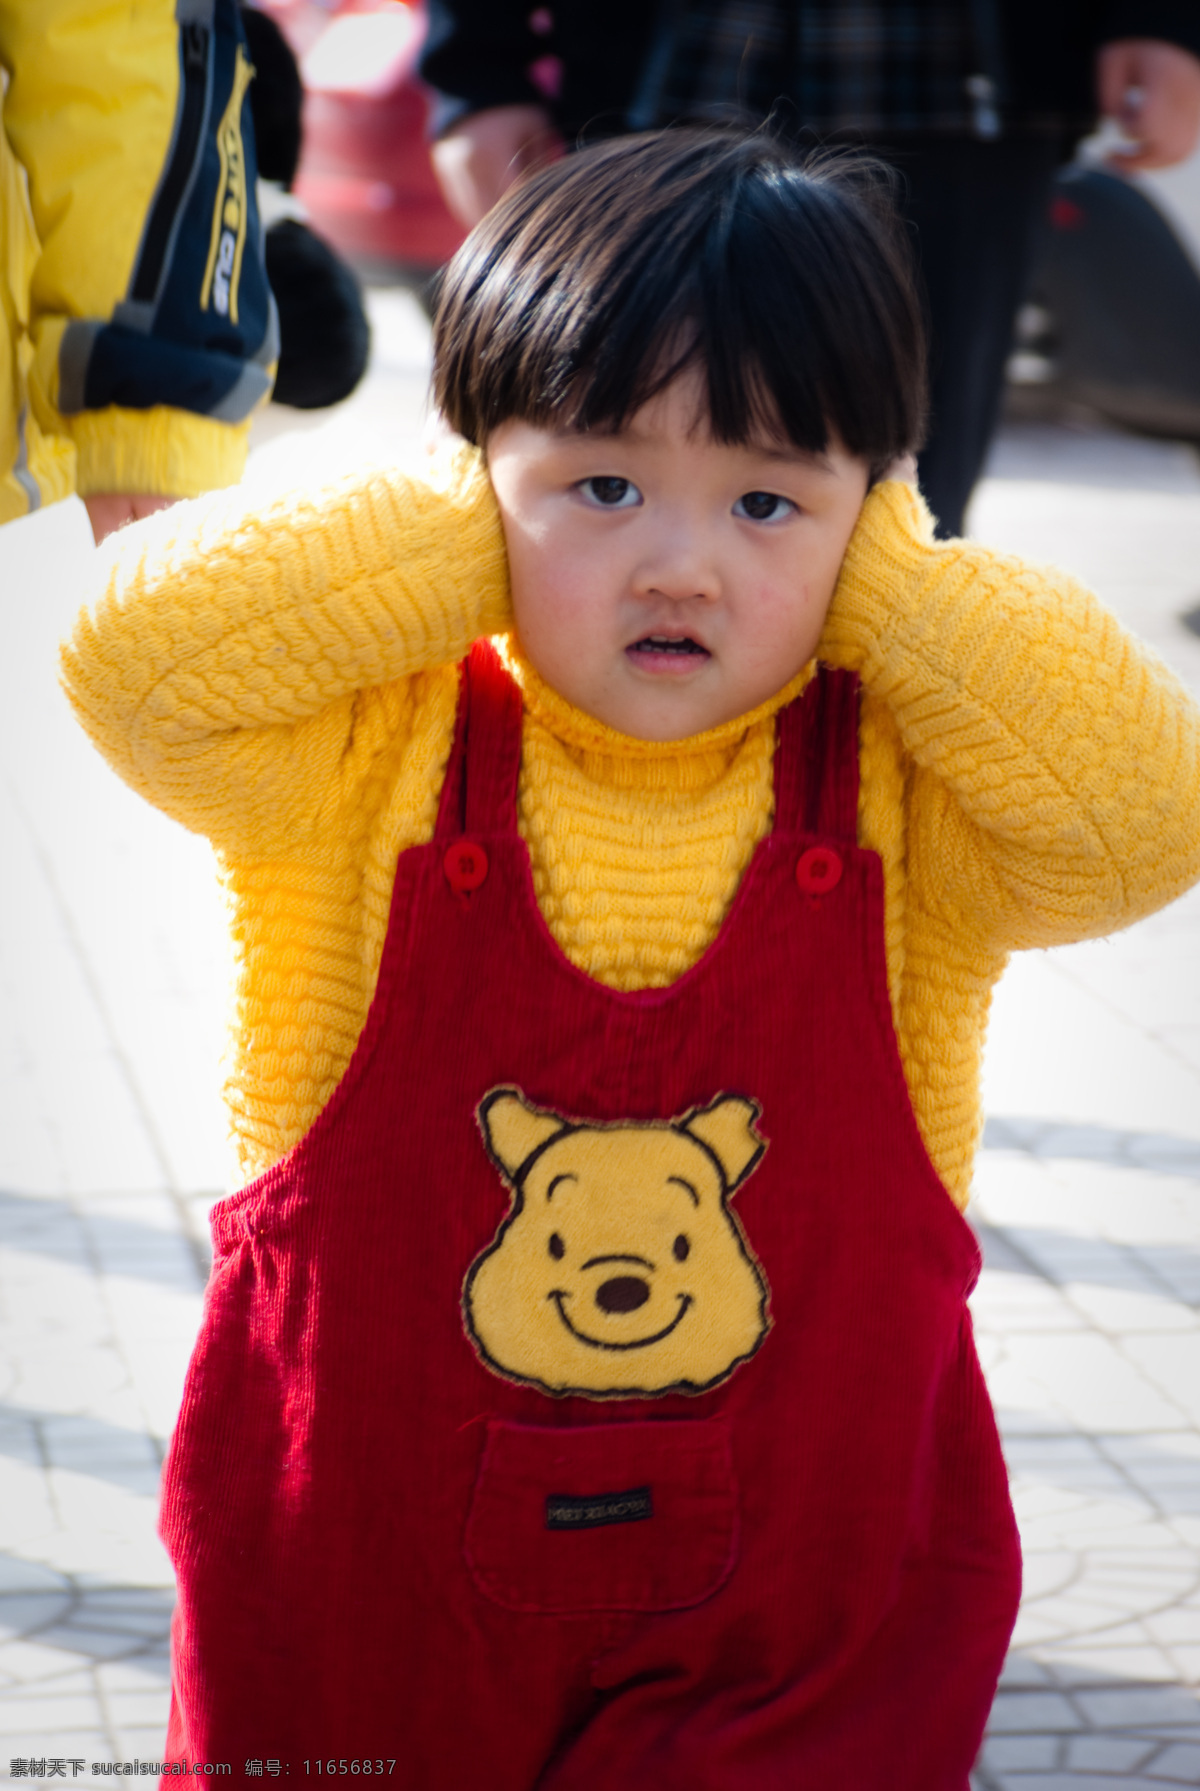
(769, 1545)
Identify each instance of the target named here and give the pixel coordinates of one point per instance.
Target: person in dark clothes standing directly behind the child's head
(975, 101)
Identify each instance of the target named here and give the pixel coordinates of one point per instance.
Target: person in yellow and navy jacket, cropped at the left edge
(137, 325)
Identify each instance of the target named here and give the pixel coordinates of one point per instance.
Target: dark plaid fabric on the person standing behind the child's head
(846, 65)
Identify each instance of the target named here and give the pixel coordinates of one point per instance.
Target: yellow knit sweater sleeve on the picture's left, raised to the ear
(228, 667)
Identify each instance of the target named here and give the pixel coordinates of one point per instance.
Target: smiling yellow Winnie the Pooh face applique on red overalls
(621, 1269)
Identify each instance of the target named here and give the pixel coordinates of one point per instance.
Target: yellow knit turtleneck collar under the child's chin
(608, 757)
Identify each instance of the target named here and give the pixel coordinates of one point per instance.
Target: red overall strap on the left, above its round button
(479, 793)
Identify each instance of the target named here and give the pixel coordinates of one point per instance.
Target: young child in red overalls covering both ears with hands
(587, 1393)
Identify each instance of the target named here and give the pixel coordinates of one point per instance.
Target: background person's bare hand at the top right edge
(1153, 90)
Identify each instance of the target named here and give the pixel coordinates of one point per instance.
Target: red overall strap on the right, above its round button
(818, 758)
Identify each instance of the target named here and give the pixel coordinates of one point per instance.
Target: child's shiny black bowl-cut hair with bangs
(787, 279)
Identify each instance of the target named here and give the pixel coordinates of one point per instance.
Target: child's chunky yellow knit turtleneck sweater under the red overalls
(284, 681)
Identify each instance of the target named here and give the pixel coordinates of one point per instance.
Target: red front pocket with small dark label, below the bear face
(604, 1518)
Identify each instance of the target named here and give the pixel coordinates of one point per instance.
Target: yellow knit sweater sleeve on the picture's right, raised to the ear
(1056, 762)
